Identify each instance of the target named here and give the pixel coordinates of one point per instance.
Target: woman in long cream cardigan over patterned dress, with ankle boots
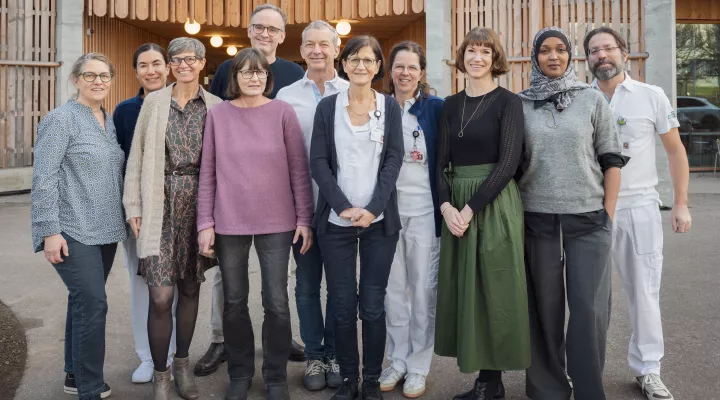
(160, 202)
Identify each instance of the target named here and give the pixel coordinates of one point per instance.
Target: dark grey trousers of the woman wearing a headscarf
(568, 252)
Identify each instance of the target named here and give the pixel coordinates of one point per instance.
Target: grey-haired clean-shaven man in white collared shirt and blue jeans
(319, 49)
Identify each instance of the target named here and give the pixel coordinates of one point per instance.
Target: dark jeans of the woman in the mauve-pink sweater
(273, 251)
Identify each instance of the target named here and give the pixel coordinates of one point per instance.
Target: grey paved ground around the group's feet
(690, 301)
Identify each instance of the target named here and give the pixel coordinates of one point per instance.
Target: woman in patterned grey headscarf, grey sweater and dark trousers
(569, 186)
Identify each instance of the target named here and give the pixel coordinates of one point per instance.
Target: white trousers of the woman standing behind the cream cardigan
(139, 304)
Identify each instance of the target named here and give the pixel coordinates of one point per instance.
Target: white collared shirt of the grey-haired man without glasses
(304, 97)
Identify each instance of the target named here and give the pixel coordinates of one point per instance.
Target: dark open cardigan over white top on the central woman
(323, 167)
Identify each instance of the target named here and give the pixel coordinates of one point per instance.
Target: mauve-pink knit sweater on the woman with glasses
(254, 176)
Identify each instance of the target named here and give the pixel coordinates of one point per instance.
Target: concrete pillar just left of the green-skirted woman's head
(438, 45)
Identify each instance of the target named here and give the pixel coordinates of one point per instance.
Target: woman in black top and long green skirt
(482, 314)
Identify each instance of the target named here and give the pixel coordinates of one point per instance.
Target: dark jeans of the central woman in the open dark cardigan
(339, 246)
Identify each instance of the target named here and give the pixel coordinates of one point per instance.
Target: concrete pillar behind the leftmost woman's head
(69, 39)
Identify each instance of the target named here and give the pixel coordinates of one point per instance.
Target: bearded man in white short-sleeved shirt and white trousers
(641, 111)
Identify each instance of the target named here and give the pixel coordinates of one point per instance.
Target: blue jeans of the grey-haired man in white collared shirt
(317, 334)
